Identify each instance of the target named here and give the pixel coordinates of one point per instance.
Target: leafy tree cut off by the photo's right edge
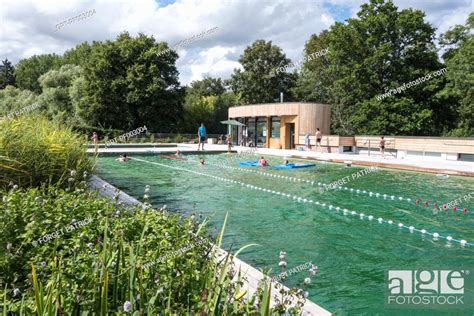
(459, 57)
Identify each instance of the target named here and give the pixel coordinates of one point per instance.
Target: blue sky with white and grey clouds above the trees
(28, 27)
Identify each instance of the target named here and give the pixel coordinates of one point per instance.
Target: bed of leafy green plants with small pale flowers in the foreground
(159, 262)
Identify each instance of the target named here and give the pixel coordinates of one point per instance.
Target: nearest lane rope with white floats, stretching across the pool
(345, 211)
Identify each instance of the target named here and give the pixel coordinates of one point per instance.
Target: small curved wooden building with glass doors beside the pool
(279, 125)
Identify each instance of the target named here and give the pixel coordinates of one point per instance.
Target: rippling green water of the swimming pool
(352, 255)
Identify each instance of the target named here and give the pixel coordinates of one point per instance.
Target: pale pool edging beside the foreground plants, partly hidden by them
(252, 275)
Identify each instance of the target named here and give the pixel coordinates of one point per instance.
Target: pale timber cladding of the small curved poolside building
(295, 119)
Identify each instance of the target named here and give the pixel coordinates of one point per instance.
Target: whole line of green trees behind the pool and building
(129, 82)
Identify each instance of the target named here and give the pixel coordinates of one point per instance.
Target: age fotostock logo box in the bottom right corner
(429, 288)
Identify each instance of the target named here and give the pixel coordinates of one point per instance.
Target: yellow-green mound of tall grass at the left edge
(34, 150)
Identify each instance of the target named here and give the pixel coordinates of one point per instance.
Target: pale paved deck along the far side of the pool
(459, 168)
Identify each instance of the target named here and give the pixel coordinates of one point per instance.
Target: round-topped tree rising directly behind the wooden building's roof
(259, 82)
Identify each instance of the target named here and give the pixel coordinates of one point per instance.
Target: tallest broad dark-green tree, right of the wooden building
(382, 49)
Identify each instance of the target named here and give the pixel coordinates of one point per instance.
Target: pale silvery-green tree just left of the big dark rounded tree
(56, 86)
